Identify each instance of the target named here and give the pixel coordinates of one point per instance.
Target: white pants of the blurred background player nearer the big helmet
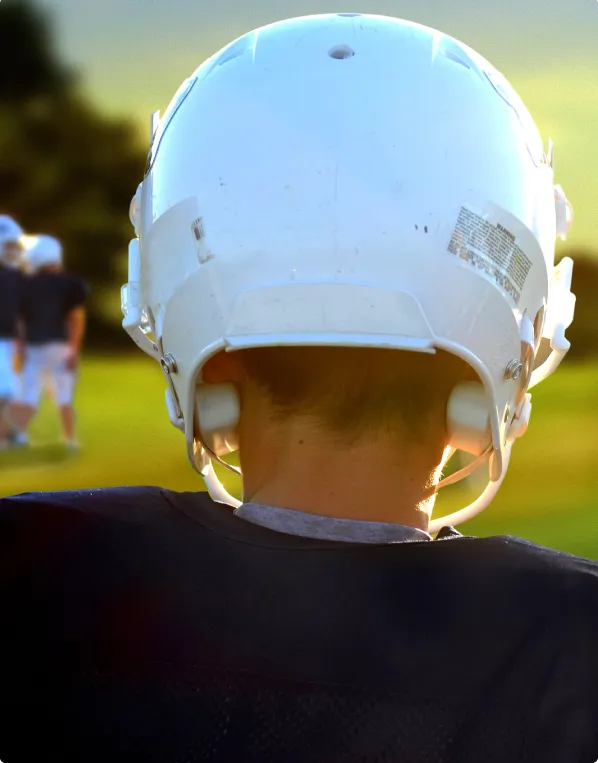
(46, 363)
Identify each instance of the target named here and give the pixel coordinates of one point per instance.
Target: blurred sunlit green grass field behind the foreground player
(549, 495)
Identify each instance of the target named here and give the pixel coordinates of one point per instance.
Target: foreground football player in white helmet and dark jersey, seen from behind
(344, 264)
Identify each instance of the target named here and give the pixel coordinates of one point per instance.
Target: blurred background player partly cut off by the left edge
(10, 287)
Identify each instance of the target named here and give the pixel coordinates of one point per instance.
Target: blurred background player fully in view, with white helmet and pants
(53, 316)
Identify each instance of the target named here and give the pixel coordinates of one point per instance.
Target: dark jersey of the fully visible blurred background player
(47, 300)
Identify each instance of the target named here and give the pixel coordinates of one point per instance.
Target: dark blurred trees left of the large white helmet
(66, 169)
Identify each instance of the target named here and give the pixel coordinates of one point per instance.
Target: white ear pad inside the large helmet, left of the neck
(217, 412)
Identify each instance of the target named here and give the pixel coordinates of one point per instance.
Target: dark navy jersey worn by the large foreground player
(138, 624)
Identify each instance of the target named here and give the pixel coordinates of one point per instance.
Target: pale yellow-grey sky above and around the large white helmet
(133, 54)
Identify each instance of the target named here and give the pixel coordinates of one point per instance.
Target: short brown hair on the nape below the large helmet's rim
(351, 391)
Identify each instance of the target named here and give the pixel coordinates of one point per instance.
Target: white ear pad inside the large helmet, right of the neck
(468, 418)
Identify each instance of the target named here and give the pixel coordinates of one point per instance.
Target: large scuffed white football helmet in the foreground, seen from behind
(358, 181)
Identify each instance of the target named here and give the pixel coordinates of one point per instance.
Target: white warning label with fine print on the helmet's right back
(490, 248)
